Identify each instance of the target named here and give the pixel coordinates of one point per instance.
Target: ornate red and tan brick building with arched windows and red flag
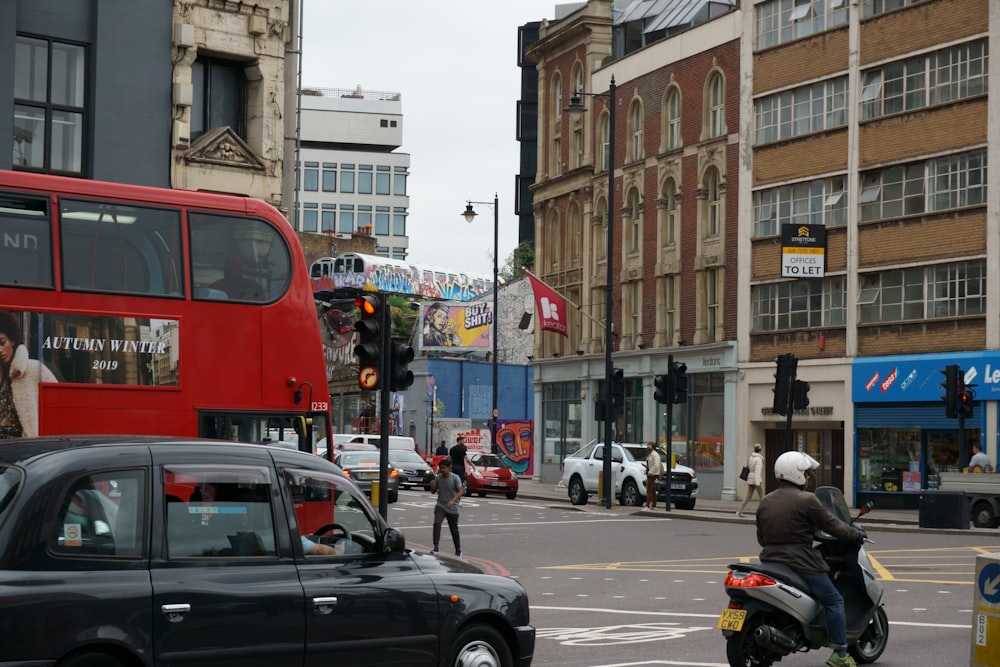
(675, 216)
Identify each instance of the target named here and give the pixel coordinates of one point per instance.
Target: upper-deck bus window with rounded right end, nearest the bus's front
(238, 259)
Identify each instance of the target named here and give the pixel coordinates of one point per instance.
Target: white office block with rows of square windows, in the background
(350, 179)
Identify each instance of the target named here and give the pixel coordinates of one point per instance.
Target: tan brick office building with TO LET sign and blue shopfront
(870, 120)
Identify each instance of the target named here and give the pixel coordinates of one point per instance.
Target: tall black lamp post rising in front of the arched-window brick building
(576, 109)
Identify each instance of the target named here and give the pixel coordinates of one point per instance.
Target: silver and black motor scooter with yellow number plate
(772, 612)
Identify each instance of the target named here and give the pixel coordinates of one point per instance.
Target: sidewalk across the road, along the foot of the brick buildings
(707, 509)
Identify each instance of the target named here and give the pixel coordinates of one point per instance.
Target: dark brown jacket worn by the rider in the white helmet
(786, 520)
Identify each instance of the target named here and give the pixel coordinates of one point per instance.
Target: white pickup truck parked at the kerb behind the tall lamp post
(582, 469)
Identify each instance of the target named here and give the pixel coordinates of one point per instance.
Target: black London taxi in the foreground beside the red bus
(120, 551)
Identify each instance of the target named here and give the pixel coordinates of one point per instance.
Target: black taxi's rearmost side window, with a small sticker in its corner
(103, 514)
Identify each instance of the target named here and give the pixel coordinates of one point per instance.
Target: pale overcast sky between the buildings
(455, 64)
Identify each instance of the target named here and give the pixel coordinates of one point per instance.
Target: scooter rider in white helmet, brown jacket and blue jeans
(787, 518)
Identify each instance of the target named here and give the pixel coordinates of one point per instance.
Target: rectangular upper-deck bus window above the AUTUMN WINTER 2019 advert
(108, 247)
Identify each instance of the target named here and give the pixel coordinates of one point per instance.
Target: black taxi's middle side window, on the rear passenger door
(214, 512)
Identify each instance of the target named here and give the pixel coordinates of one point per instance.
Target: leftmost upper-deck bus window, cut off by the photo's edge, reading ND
(25, 242)
